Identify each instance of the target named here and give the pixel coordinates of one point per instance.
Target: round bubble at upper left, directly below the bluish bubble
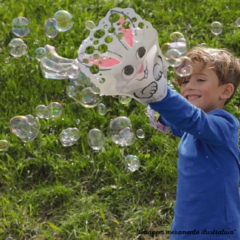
(17, 47)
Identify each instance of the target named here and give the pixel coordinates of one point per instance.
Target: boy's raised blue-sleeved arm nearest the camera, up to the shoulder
(214, 128)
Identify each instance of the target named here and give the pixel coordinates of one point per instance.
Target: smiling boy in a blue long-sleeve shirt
(207, 203)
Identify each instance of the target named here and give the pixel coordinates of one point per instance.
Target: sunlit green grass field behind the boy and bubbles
(48, 191)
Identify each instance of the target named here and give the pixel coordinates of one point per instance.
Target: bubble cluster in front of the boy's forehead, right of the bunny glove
(174, 53)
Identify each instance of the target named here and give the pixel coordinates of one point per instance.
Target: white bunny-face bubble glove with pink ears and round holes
(122, 52)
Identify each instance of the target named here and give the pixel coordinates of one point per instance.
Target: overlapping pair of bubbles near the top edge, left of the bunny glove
(61, 22)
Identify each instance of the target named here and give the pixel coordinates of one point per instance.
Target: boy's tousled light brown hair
(221, 61)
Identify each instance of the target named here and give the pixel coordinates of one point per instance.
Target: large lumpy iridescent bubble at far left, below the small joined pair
(25, 127)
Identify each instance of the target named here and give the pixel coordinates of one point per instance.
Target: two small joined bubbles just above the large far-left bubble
(53, 110)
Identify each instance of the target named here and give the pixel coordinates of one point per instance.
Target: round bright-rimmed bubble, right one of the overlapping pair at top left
(63, 21)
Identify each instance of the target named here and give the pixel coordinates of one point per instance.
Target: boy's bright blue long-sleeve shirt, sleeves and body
(208, 170)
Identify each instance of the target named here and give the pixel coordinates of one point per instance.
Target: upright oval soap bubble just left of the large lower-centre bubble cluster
(96, 139)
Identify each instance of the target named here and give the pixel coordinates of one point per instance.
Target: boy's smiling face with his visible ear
(202, 89)
